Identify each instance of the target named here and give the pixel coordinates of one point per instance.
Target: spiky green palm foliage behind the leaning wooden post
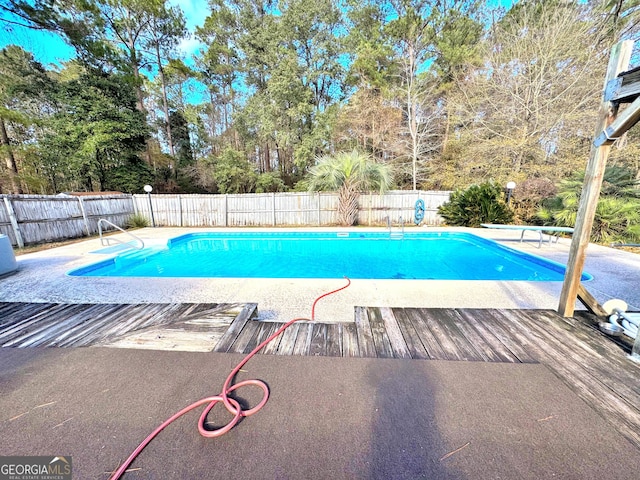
(617, 215)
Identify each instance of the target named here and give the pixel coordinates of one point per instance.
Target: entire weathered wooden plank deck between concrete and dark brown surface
(592, 365)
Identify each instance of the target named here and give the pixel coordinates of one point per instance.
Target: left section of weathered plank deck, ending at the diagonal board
(169, 326)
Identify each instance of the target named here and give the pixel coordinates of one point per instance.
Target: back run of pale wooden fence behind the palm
(284, 209)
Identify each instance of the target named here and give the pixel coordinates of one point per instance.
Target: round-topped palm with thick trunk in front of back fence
(348, 173)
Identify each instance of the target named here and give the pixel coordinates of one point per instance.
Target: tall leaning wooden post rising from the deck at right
(609, 127)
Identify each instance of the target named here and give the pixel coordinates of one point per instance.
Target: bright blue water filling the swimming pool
(366, 255)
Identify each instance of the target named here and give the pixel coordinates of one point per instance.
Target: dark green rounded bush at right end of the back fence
(477, 204)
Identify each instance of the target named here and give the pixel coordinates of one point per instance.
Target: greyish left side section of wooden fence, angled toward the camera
(29, 219)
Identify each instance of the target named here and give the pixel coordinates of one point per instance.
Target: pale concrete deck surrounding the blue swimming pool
(41, 277)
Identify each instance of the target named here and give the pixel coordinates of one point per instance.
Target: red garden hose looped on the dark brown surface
(230, 404)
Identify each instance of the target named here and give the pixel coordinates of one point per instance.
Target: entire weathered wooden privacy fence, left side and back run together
(29, 219)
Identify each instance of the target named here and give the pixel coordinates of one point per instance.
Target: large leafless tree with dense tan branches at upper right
(528, 109)
